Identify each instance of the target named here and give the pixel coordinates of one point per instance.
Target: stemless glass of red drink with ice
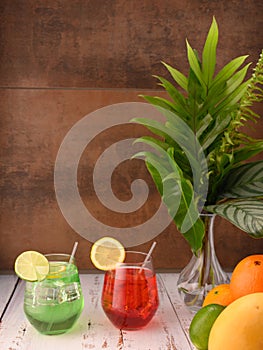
(130, 295)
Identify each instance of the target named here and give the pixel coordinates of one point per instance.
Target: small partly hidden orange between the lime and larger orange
(219, 295)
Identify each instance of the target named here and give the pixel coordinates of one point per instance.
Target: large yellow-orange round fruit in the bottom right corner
(239, 326)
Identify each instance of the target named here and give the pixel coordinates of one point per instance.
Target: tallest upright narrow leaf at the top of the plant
(209, 53)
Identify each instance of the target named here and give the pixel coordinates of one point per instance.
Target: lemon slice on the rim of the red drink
(106, 252)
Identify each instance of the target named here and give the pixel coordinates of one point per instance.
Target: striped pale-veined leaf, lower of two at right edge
(246, 214)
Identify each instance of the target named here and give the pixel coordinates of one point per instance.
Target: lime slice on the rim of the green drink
(31, 266)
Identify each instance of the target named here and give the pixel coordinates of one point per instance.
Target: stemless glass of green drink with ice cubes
(53, 305)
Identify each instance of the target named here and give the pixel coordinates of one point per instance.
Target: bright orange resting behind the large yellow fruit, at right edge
(247, 276)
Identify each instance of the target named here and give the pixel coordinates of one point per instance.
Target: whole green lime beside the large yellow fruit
(202, 323)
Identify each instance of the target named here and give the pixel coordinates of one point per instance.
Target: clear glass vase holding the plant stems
(203, 272)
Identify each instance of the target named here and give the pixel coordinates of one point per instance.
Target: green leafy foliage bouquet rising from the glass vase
(199, 157)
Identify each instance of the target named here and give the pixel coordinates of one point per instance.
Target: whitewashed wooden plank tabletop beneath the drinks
(168, 330)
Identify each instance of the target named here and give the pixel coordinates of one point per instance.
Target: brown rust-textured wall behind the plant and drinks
(61, 60)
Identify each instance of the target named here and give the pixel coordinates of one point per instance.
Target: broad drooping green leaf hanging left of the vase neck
(177, 194)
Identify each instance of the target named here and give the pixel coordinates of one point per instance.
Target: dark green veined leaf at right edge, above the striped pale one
(245, 181)
